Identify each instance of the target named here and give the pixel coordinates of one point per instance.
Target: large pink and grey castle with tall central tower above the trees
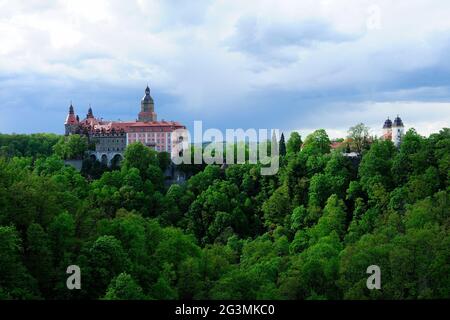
(112, 137)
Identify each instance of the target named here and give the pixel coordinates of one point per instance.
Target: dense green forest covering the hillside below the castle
(309, 232)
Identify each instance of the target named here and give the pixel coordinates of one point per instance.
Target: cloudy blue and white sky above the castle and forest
(291, 65)
